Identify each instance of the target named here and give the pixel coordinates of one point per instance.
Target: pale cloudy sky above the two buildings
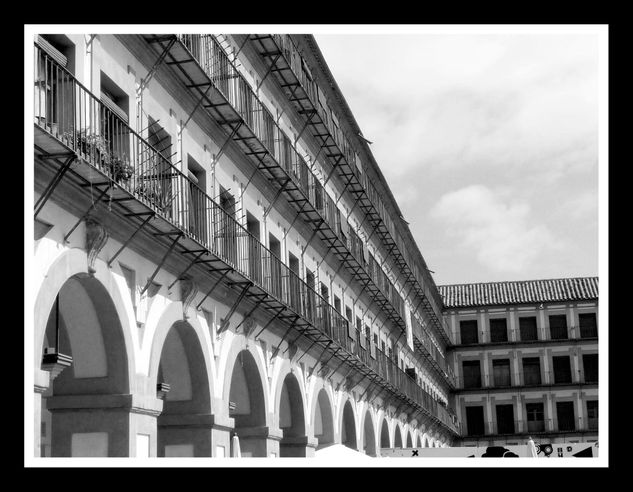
(489, 143)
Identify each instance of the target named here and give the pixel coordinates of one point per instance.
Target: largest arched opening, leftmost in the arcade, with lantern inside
(85, 353)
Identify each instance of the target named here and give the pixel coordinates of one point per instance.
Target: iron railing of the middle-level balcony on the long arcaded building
(229, 81)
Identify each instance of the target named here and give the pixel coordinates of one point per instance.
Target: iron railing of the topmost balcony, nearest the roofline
(299, 68)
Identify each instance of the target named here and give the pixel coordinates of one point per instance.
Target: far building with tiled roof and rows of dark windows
(526, 359)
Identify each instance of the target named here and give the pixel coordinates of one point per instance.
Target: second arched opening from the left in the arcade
(183, 429)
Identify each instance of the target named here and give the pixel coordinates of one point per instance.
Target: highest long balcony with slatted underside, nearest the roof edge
(276, 50)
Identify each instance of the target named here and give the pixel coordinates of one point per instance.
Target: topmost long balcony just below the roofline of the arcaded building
(291, 72)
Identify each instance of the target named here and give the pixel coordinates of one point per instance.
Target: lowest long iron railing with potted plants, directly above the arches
(69, 112)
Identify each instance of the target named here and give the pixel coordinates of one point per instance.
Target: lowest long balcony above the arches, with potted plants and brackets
(83, 142)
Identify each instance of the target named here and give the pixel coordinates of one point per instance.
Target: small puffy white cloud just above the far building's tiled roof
(501, 235)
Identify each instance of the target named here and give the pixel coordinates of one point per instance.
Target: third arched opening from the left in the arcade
(247, 405)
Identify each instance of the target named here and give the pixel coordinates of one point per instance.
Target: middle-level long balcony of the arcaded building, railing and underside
(206, 70)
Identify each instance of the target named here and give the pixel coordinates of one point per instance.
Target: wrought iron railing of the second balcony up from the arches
(281, 155)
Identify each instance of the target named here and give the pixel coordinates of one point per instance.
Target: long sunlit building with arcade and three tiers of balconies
(218, 258)
